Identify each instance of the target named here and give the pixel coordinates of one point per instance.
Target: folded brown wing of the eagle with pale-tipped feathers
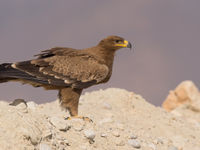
(66, 67)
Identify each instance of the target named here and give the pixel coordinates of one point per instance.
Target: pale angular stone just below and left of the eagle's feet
(60, 124)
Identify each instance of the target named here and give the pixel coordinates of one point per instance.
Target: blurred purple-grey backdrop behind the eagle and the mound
(165, 35)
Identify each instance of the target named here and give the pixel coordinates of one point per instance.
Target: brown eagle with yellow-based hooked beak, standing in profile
(67, 70)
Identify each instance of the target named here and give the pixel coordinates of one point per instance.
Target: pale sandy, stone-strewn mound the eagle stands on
(122, 120)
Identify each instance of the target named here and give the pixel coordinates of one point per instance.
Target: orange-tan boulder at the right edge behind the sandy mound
(186, 92)
